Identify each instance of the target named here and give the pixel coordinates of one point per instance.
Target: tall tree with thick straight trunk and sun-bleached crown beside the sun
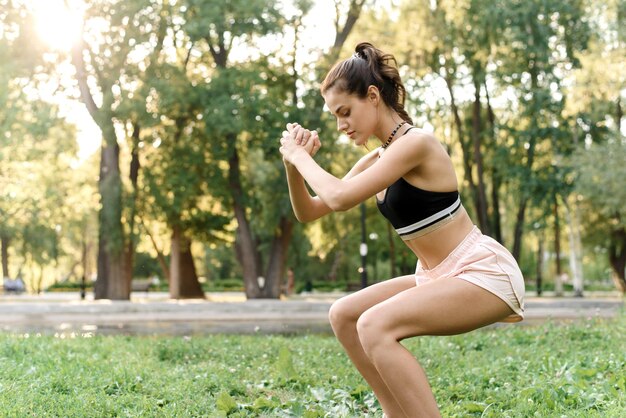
(100, 60)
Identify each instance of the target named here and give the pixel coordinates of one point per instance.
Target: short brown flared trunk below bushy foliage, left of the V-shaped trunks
(183, 277)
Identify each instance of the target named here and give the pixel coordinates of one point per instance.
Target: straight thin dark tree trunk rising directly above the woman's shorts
(481, 196)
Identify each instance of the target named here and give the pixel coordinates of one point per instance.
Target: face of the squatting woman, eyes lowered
(356, 117)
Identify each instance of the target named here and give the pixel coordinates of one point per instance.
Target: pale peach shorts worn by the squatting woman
(483, 261)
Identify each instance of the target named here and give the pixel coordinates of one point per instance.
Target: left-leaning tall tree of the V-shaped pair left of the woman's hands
(217, 26)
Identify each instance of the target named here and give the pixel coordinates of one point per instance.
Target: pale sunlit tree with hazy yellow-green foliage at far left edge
(34, 140)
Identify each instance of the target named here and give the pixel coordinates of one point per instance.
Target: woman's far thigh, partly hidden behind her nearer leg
(351, 307)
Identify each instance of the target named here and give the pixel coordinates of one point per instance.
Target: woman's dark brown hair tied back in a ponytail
(369, 66)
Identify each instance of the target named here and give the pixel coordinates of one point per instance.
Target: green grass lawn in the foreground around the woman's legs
(552, 370)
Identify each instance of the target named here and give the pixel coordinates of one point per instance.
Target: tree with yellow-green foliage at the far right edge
(595, 114)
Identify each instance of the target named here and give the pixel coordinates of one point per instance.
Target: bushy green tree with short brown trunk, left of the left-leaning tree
(183, 183)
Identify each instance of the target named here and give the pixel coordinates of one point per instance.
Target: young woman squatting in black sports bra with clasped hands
(464, 280)
